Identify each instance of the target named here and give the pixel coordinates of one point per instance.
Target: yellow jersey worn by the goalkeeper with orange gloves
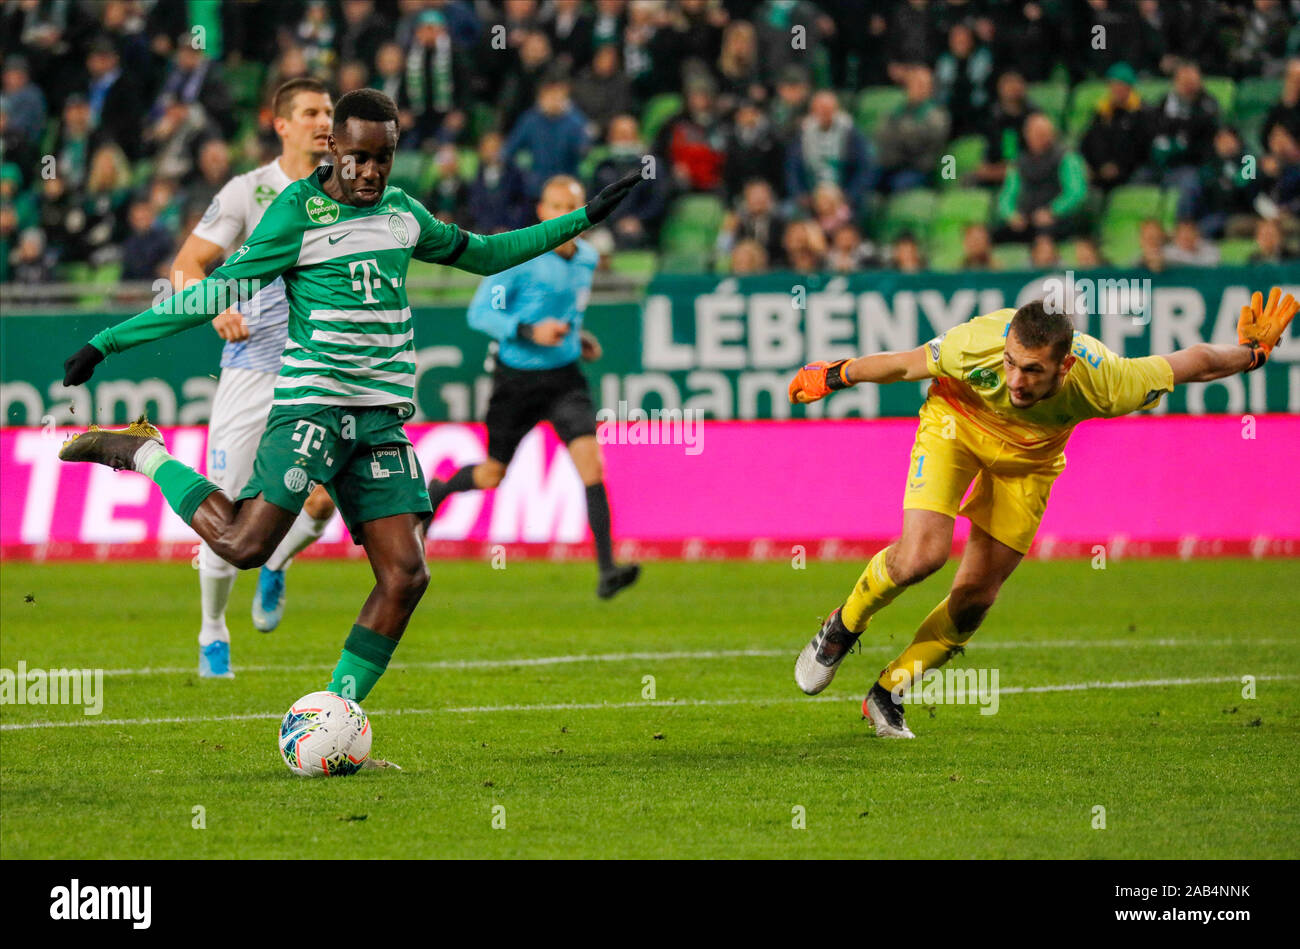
(970, 376)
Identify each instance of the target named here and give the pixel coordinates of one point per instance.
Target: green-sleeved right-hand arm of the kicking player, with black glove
(496, 253)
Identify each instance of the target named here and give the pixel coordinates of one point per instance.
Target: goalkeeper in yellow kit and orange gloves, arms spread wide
(1009, 388)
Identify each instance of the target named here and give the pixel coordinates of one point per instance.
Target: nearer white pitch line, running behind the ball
(661, 704)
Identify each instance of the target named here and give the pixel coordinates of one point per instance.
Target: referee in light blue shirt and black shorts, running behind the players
(535, 314)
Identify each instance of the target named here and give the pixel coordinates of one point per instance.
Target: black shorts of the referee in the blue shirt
(521, 398)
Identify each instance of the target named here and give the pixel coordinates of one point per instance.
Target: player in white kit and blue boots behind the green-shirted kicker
(255, 339)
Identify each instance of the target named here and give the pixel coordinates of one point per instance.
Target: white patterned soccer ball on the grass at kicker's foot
(324, 735)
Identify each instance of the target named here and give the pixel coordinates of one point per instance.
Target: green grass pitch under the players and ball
(723, 762)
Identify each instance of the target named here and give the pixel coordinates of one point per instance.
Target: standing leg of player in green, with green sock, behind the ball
(396, 551)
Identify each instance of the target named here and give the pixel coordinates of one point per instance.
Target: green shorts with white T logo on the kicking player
(362, 456)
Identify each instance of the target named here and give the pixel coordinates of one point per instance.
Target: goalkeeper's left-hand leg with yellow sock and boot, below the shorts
(922, 549)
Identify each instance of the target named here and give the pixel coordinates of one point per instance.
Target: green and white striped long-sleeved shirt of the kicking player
(350, 328)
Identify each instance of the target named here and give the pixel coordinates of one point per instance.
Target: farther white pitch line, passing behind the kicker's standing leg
(707, 655)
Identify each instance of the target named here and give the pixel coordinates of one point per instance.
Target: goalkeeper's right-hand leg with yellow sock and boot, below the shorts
(986, 566)
